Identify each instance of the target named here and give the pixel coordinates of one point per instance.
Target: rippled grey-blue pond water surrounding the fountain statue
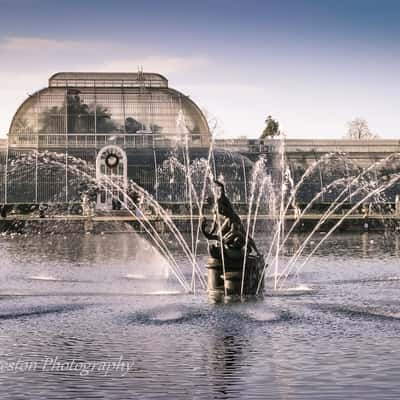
(75, 310)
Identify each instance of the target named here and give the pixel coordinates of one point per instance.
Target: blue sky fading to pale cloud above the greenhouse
(312, 65)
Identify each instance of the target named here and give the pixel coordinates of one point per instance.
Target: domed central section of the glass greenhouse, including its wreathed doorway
(134, 117)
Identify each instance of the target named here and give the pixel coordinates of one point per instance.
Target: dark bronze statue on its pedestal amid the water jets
(225, 267)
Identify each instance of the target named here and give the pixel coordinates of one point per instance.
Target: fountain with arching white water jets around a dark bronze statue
(236, 267)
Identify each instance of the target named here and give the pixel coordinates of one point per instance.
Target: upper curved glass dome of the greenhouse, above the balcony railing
(91, 104)
